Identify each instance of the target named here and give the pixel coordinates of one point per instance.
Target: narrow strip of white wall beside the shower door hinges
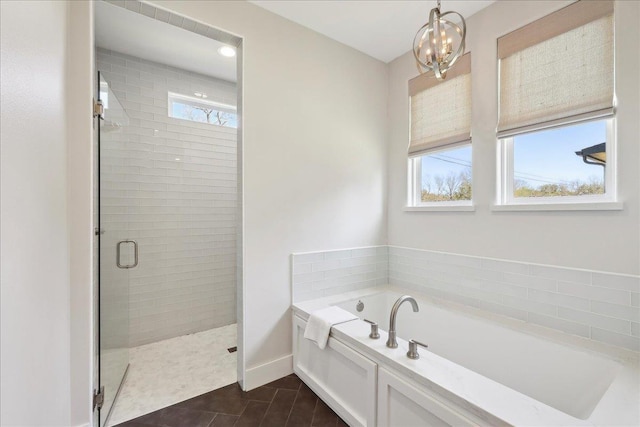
(80, 76)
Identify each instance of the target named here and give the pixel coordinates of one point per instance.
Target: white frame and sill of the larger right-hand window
(506, 178)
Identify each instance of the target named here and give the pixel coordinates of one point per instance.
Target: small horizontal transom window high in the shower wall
(198, 109)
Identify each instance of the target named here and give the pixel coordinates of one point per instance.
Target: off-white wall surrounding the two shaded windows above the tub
(608, 241)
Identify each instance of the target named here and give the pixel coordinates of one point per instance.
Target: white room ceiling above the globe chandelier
(383, 29)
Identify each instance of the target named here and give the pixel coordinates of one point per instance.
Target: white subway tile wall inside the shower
(171, 184)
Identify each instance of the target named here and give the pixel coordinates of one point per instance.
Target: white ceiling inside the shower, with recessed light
(134, 34)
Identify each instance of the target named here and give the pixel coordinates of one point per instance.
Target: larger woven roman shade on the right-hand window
(558, 69)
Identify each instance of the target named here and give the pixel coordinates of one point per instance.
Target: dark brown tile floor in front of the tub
(286, 402)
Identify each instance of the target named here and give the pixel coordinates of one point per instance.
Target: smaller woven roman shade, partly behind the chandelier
(441, 110)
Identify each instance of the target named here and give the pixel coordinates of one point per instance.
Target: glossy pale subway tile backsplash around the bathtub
(597, 305)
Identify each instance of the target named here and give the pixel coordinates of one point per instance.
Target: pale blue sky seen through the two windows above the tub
(539, 158)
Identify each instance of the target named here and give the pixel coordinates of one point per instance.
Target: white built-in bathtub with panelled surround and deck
(479, 368)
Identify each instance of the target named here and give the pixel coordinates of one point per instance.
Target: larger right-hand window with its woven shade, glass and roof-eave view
(556, 116)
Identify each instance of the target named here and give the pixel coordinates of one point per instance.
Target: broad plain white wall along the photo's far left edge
(35, 307)
